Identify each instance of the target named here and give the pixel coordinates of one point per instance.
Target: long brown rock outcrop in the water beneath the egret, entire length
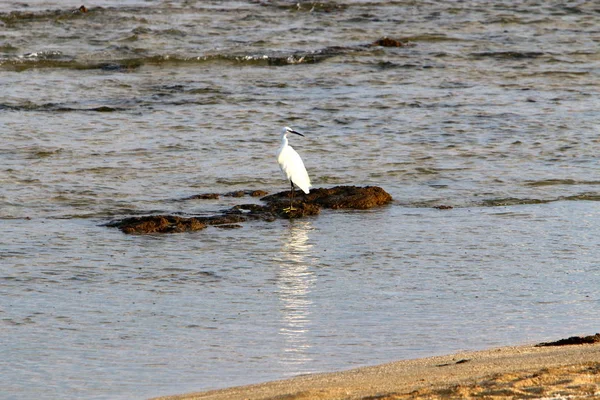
(339, 197)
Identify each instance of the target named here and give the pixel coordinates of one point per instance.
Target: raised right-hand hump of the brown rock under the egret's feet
(339, 197)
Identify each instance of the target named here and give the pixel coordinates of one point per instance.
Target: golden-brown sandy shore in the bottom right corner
(509, 372)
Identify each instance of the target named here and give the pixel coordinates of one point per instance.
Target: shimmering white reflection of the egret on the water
(295, 280)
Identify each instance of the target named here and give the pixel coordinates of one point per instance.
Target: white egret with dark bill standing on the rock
(292, 166)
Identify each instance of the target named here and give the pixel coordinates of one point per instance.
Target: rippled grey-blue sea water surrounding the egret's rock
(128, 109)
